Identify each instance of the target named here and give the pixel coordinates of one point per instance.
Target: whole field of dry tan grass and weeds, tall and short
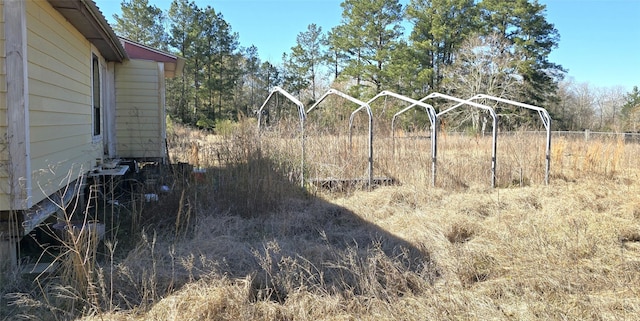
(244, 241)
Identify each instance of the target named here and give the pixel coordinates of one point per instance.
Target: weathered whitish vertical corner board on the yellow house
(17, 103)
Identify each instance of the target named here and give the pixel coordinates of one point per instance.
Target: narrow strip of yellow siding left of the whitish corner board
(4, 147)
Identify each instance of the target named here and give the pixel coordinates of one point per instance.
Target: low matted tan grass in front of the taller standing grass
(564, 252)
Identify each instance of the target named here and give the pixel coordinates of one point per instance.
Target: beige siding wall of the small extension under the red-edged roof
(140, 109)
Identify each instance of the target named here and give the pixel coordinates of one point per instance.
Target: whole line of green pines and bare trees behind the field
(457, 47)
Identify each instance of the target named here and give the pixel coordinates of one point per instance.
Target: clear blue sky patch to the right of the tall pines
(599, 40)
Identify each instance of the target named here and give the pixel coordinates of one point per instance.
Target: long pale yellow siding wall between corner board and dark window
(60, 104)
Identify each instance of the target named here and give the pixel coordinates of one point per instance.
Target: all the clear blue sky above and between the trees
(600, 39)
